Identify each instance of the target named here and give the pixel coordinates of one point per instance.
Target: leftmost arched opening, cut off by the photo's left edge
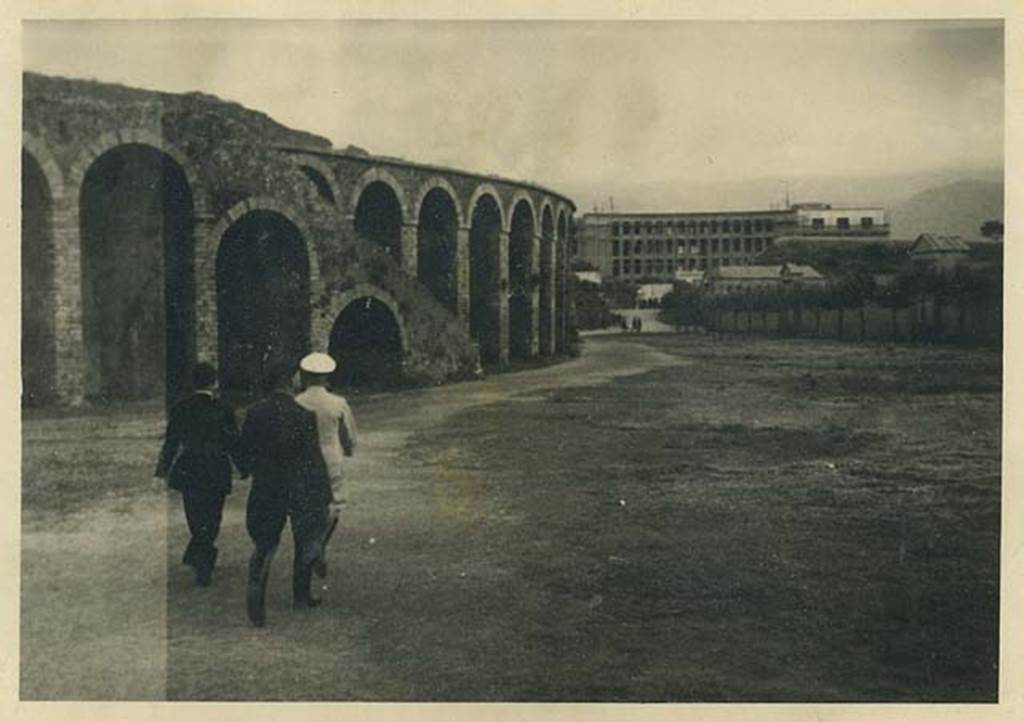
(37, 284)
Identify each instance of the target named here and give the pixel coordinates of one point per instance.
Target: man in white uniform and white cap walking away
(336, 429)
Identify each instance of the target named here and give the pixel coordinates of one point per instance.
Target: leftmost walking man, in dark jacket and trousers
(201, 441)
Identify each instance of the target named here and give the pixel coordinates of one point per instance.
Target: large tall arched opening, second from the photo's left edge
(138, 291)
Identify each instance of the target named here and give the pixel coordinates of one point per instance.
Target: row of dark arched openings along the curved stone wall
(136, 220)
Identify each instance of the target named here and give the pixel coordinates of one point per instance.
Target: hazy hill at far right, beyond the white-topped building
(955, 209)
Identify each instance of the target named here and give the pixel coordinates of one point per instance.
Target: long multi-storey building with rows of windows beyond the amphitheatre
(658, 246)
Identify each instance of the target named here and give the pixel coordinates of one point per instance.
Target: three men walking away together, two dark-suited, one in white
(292, 446)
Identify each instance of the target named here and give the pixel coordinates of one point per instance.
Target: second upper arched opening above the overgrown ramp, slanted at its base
(436, 251)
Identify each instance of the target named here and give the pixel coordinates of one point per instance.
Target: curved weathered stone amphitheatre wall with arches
(162, 229)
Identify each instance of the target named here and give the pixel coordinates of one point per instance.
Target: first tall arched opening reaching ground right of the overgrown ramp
(485, 321)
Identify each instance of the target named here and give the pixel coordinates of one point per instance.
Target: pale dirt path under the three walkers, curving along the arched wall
(108, 613)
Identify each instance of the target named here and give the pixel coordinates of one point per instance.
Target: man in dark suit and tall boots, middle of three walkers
(281, 448)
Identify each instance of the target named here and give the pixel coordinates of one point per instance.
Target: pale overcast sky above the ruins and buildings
(591, 105)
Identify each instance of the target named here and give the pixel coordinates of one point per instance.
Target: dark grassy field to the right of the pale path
(770, 522)
